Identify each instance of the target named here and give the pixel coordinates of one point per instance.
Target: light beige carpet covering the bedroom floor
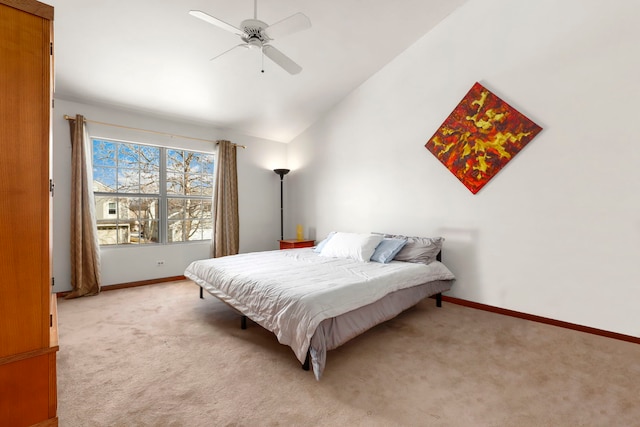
(158, 355)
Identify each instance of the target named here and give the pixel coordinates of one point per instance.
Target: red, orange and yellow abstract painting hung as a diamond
(480, 136)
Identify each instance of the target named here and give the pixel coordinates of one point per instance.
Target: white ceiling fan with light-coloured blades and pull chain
(257, 34)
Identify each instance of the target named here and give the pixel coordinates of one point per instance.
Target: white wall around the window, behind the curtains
(259, 188)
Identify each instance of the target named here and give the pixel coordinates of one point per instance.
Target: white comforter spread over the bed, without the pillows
(290, 292)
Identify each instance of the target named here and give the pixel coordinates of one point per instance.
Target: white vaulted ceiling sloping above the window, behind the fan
(151, 56)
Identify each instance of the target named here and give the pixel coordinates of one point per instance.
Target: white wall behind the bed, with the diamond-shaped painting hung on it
(556, 232)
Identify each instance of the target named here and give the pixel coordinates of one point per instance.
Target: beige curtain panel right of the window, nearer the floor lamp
(226, 225)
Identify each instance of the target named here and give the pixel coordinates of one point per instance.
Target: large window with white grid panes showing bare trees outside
(147, 194)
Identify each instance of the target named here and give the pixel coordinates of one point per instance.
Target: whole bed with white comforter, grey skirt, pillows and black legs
(316, 299)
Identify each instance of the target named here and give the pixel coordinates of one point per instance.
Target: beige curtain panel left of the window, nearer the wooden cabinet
(85, 250)
